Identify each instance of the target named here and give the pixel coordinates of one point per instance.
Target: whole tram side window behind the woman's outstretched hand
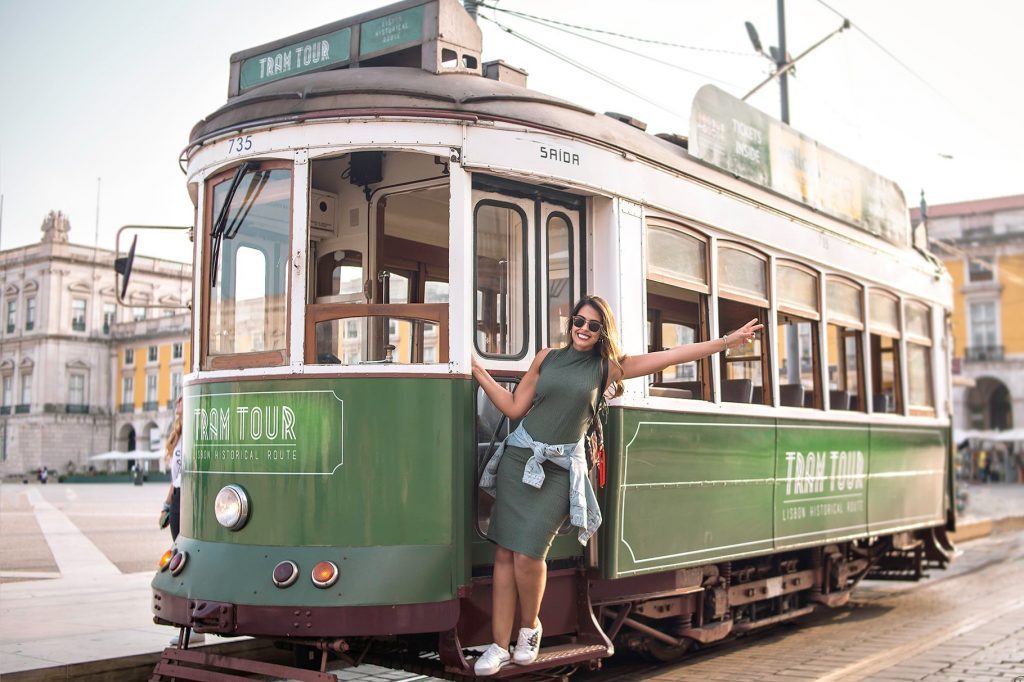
(743, 278)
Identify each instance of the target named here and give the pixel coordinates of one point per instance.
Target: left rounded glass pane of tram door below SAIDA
(500, 280)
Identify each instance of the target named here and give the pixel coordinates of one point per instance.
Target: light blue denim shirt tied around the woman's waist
(584, 510)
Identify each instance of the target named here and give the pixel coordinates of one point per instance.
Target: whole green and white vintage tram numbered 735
(375, 206)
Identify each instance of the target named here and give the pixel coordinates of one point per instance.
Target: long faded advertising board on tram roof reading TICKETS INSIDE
(732, 135)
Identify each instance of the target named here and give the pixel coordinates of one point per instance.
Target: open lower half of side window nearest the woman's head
(676, 317)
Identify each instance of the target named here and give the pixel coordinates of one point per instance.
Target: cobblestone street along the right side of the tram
(965, 624)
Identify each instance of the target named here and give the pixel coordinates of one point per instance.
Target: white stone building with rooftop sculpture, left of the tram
(60, 312)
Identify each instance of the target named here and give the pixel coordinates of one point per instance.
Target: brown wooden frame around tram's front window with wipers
(278, 358)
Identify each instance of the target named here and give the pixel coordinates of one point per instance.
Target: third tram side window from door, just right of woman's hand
(799, 325)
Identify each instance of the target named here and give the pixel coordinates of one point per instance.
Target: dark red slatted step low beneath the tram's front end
(191, 665)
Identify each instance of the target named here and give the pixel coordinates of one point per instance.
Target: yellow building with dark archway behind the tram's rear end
(983, 245)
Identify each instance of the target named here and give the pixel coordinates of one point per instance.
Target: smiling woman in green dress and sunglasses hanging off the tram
(536, 470)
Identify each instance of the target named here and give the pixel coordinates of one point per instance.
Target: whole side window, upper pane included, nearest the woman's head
(677, 308)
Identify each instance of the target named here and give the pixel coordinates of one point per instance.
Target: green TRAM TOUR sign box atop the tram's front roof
(438, 36)
